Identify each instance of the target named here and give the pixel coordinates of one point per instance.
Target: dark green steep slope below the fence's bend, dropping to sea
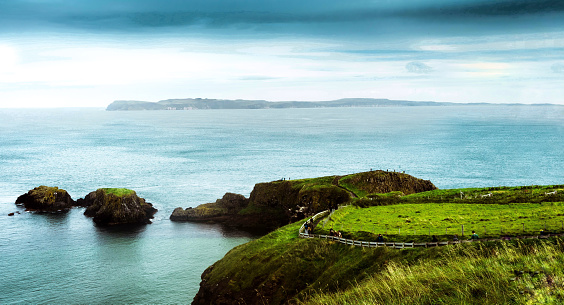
(280, 266)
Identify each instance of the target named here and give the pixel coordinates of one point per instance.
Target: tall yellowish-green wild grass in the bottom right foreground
(464, 274)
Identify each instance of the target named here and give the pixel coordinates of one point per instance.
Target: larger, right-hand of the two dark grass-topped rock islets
(117, 206)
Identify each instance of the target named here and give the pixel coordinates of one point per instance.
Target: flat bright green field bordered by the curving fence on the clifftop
(412, 222)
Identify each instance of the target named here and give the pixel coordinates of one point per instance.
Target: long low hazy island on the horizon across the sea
(204, 103)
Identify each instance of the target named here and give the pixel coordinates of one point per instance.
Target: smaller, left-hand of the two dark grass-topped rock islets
(46, 199)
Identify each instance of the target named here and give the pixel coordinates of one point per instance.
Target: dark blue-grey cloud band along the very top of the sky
(315, 17)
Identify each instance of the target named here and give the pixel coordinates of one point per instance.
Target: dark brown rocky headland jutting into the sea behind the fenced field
(273, 204)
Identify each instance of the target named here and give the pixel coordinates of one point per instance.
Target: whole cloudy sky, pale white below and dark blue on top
(88, 53)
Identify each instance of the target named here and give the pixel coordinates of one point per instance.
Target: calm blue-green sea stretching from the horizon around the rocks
(185, 158)
